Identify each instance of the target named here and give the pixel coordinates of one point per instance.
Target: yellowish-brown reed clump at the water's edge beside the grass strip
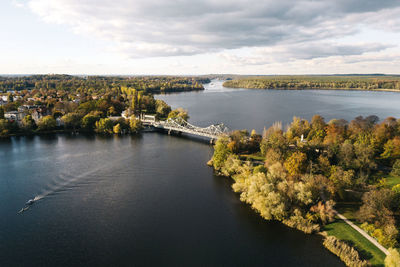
(345, 252)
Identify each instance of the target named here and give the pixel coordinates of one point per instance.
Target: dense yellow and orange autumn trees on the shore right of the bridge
(312, 165)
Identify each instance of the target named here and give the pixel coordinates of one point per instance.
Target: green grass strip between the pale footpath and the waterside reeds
(367, 250)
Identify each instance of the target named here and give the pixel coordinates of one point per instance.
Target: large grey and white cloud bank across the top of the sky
(146, 28)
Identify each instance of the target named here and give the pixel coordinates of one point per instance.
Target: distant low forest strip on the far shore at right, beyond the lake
(317, 82)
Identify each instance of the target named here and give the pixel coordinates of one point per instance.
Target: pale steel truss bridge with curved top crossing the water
(179, 125)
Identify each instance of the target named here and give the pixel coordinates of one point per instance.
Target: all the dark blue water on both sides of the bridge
(150, 200)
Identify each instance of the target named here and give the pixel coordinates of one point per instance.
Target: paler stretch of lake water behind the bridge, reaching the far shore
(254, 109)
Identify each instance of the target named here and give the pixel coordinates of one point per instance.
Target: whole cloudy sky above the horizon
(188, 37)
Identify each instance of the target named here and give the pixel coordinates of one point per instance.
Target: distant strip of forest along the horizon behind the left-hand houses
(101, 84)
